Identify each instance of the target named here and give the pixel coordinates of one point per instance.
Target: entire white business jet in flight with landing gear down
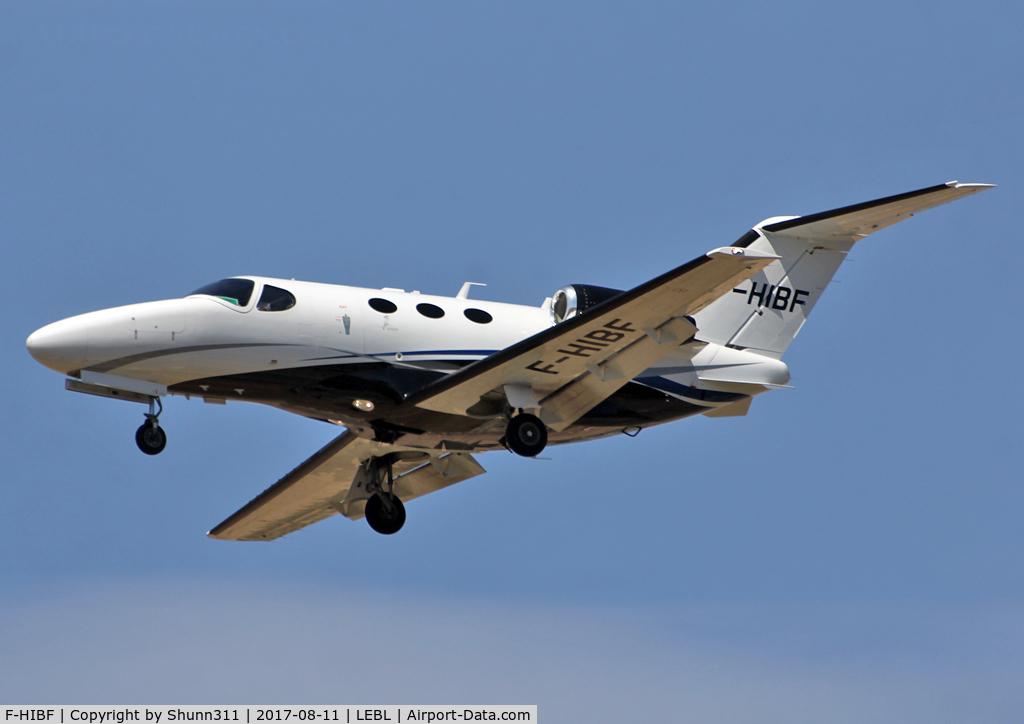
(421, 382)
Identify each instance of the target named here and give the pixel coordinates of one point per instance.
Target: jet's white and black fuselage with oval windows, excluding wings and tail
(351, 357)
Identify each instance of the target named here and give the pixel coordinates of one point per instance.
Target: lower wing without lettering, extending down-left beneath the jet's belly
(332, 482)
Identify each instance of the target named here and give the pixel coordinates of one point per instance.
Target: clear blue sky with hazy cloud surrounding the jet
(850, 550)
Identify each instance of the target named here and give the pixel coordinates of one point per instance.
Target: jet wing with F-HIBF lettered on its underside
(568, 370)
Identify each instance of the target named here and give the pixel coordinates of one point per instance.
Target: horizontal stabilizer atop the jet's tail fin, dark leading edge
(852, 224)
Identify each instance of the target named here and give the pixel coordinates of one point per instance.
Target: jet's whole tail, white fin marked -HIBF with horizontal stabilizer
(765, 313)
